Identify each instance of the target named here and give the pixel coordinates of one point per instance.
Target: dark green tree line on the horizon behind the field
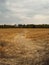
(25, 26)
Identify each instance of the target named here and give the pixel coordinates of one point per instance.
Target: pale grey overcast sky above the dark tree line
(24, 11)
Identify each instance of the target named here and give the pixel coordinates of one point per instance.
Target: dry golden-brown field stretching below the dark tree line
(24, 46)
